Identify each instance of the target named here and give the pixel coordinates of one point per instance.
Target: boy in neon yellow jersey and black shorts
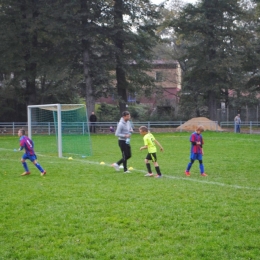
(150, 144)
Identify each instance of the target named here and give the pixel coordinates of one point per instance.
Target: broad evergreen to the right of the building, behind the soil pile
(214, 39)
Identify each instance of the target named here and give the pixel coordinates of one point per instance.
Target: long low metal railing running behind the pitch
(48, 128)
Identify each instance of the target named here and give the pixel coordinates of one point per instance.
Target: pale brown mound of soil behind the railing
(192, 124)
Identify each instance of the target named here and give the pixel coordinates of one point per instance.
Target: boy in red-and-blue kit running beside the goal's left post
(27, 144)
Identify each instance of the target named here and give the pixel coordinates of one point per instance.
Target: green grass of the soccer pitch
(84, 210)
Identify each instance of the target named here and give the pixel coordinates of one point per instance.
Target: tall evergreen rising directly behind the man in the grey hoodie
(134, 36)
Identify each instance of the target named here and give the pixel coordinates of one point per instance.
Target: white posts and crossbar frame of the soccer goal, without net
(52, 107)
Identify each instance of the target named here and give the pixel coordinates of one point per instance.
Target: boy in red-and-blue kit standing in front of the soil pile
(196, 151)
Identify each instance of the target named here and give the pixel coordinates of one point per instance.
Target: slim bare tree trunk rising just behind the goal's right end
(89, 98)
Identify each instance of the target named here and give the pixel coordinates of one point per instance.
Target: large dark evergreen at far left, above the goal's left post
(28, 59)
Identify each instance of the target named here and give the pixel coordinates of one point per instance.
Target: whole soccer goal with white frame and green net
(61, 128)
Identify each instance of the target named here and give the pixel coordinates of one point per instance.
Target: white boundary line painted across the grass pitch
(165, 176)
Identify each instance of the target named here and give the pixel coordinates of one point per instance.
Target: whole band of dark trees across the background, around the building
(63, 51)
